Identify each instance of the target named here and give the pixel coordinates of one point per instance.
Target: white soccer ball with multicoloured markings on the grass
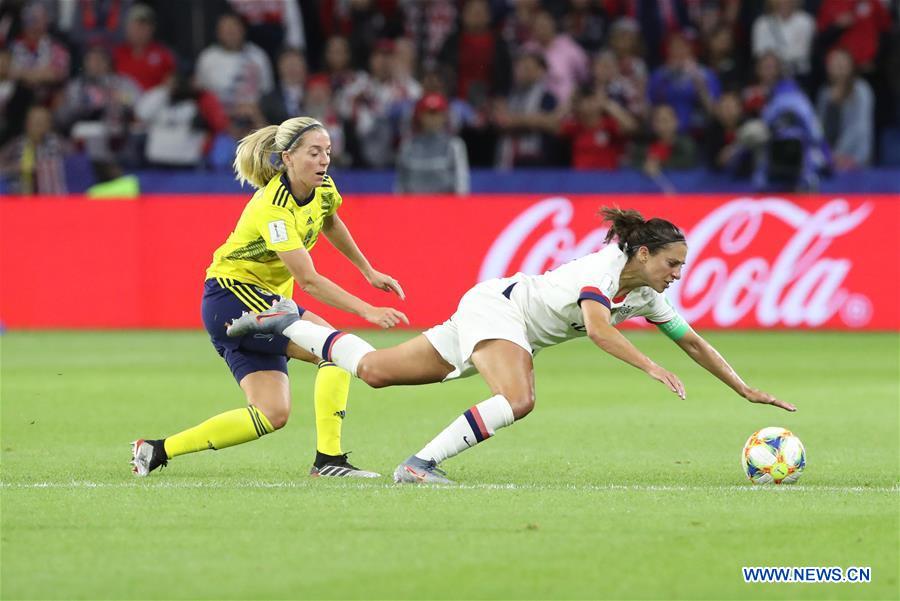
(773, 455)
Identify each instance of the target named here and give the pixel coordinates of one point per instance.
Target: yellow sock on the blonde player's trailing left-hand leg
(224, 430)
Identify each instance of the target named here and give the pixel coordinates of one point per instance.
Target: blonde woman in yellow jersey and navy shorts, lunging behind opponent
(267, 251)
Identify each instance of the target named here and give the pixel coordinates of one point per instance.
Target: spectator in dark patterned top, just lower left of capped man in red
(98, 107)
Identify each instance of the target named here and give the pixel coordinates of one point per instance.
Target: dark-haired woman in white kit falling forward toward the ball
(502, 323)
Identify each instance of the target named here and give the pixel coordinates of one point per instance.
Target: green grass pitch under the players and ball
(612, 488)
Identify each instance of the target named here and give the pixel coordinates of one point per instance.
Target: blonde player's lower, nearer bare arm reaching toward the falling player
(300, 264)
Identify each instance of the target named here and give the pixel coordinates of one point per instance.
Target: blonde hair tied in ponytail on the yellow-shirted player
(253, 160)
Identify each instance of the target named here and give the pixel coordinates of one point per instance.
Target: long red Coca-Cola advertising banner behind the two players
(763, 262)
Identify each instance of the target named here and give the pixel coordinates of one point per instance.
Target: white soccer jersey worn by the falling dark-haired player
(550, 303)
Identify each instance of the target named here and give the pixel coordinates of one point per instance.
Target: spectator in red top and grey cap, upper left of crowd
(140, 57)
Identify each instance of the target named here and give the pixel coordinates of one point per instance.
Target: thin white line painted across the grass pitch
(287, 484)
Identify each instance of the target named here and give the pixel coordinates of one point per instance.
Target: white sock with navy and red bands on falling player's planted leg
(475, 425)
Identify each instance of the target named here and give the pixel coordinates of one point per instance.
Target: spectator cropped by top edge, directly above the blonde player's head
(272, 24)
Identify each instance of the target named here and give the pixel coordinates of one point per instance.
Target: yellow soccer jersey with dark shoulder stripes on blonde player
(273, 220)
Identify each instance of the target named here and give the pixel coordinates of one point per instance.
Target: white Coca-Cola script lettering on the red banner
(729, 277)
